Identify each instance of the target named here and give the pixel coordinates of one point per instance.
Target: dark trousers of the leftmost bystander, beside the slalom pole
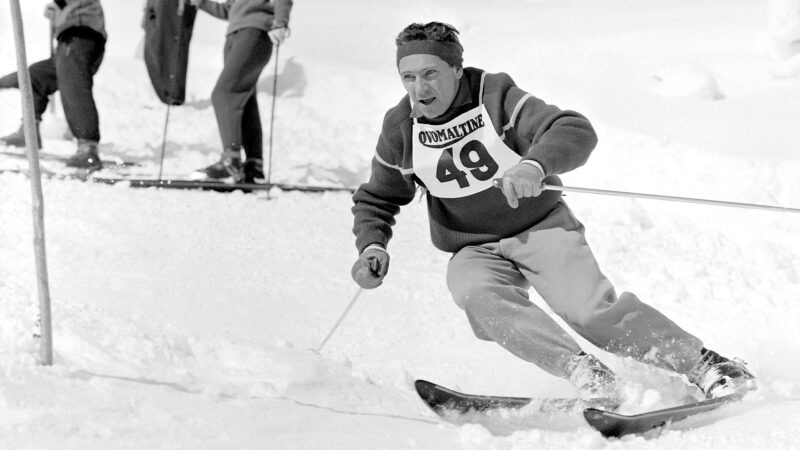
(71, 71)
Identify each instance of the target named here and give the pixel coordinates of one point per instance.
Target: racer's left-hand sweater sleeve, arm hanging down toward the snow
(378, 201)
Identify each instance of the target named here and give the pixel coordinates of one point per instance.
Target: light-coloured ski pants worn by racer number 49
(490, 282)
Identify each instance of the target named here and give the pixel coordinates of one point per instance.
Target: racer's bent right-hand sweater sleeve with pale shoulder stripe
(561, 140)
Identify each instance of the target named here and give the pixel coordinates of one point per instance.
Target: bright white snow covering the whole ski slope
(190, 319)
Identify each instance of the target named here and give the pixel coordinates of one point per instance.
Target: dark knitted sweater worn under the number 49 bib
(558, 140)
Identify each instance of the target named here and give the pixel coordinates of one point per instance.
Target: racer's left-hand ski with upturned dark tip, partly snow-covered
(445, 402)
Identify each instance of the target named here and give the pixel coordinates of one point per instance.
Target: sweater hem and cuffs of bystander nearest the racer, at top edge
(262, 14)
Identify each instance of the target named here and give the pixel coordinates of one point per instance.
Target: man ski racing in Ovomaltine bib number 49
(455, 132)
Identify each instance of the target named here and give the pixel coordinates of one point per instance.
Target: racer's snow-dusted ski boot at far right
(717, 376)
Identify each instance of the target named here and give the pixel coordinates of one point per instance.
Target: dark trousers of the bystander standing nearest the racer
(246, 53)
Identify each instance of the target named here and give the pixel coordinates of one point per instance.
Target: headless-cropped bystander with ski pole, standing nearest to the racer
(254, 26)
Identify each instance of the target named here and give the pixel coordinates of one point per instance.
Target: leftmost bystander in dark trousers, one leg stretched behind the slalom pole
(79, 28)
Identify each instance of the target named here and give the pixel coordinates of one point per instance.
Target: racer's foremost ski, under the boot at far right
(612, 424)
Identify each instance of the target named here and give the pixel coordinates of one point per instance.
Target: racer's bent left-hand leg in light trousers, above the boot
(494, 295)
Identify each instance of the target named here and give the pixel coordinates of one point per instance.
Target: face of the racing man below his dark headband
(431, 83)
